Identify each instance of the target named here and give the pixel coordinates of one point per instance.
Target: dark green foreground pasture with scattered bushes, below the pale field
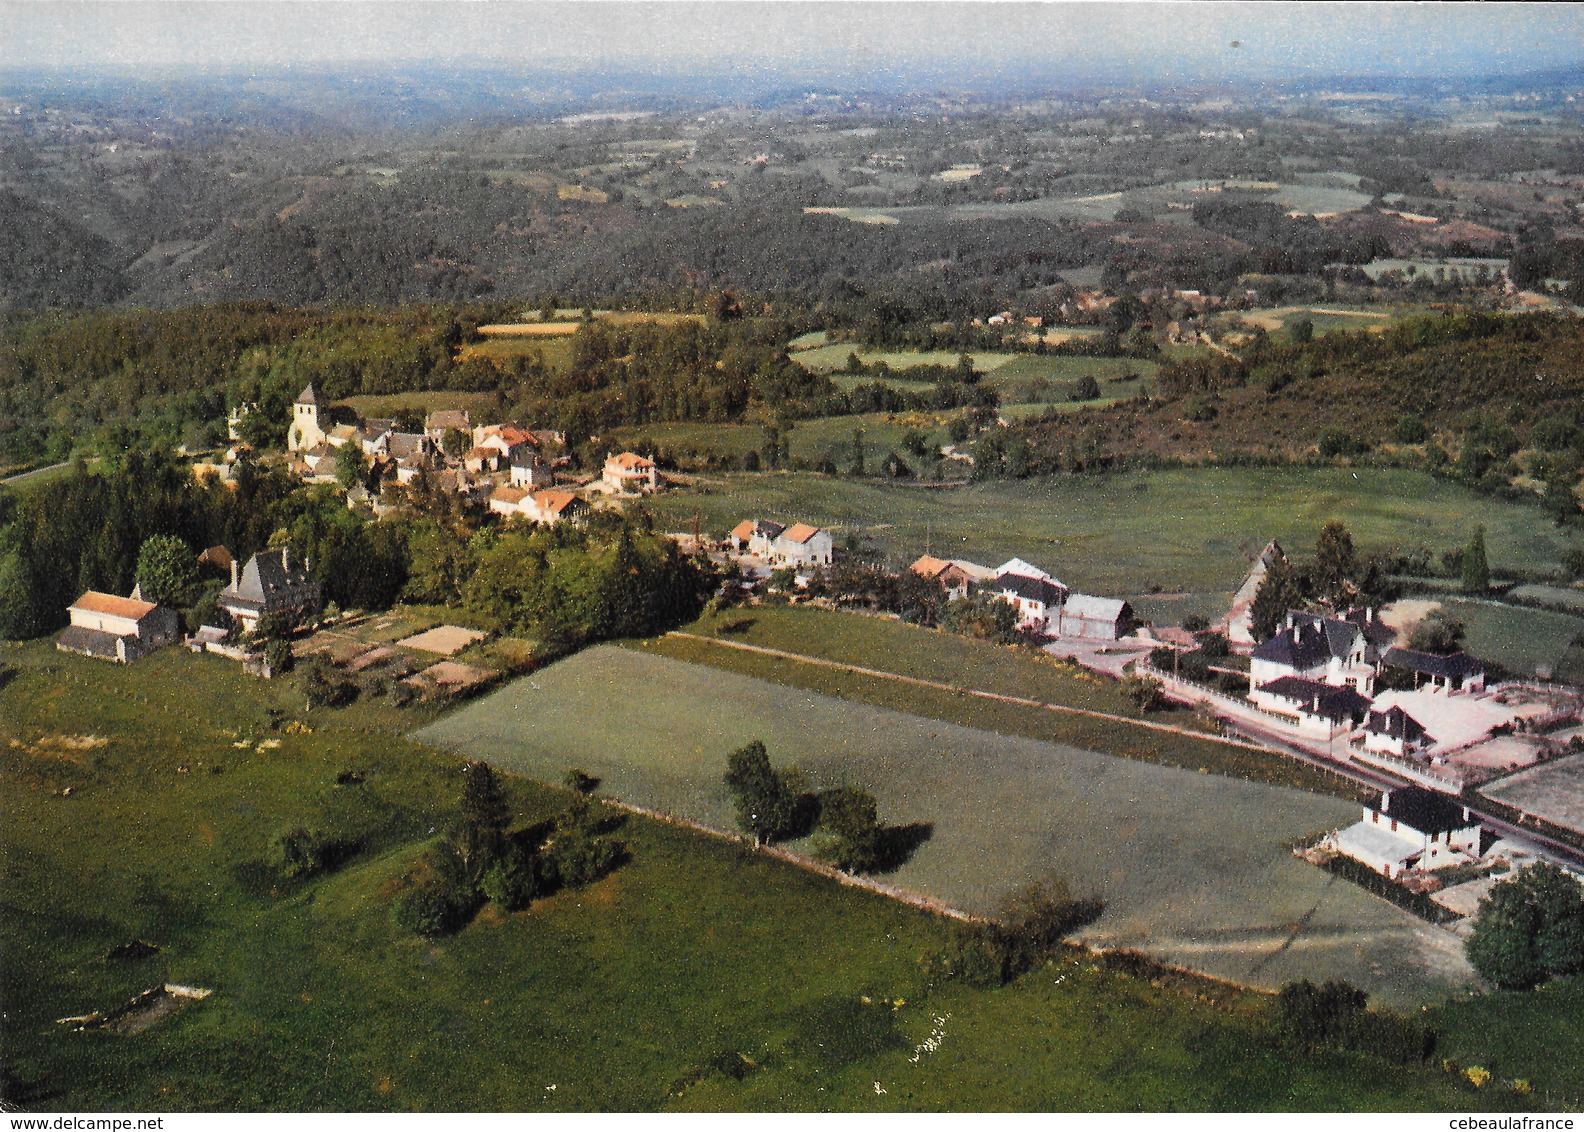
(695, 978)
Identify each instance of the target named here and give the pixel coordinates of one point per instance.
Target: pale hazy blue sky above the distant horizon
(1195, 39)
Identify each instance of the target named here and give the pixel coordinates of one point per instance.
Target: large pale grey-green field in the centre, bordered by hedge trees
(1190, 867)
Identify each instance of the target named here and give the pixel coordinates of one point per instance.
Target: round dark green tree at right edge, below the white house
(1529, 929)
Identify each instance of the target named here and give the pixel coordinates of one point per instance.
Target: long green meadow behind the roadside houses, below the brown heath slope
(1182, 530)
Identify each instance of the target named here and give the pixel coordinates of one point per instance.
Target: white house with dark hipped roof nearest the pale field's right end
(1411, 830)
